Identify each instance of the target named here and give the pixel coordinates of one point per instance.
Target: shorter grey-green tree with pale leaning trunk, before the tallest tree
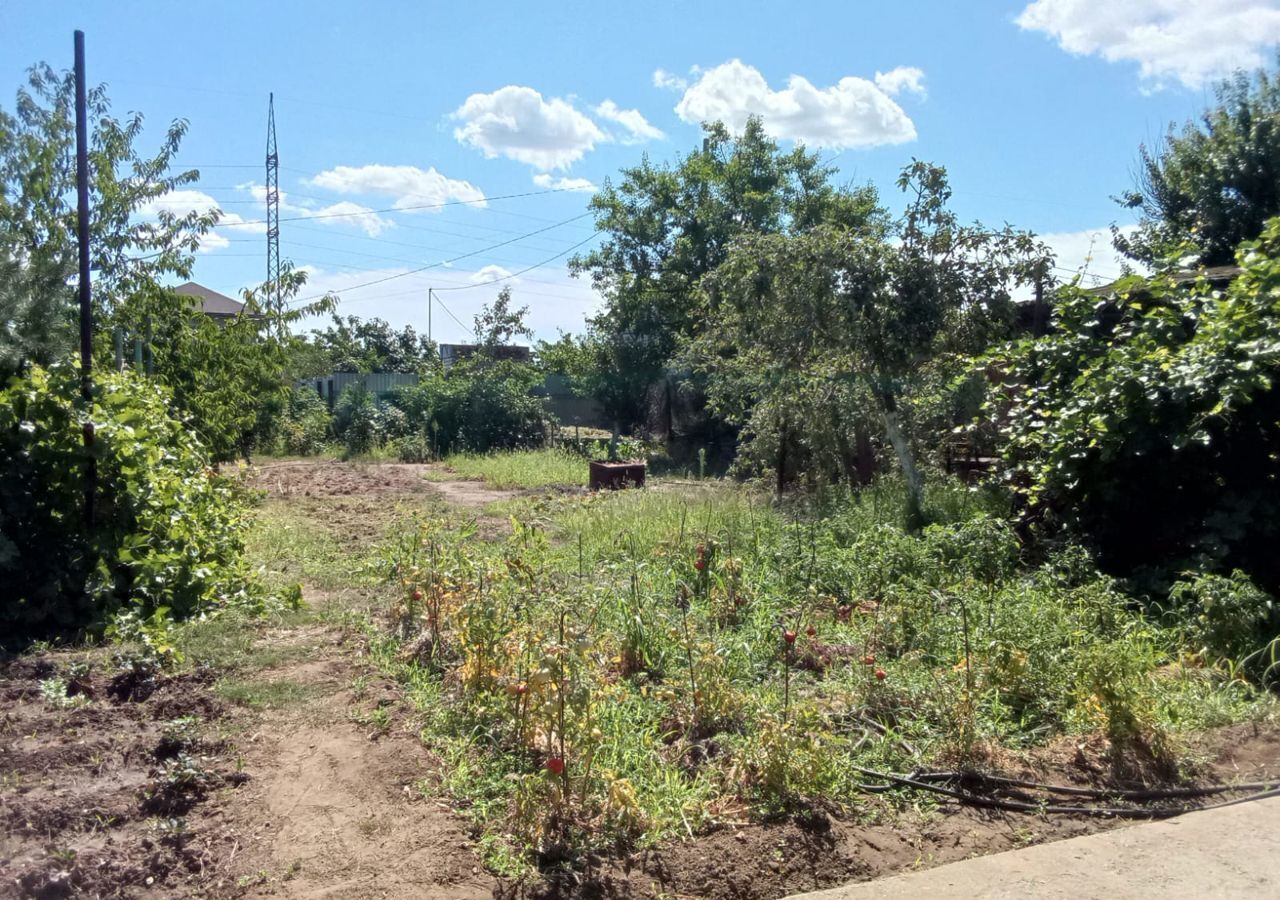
(808, 333)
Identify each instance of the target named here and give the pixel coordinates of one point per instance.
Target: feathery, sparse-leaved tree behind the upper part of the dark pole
(135, 244)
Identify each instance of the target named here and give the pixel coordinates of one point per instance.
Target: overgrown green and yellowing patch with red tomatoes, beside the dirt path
(678, 682)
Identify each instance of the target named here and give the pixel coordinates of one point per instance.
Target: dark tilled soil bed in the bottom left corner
(88, 805)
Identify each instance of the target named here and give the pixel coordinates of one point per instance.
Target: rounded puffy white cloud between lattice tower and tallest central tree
(518, 124)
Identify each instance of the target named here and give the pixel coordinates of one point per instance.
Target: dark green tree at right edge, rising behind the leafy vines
(1212, 185)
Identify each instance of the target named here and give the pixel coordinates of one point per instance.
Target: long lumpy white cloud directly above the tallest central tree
(853, 113)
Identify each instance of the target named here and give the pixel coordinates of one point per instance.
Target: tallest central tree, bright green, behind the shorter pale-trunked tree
(669, 226)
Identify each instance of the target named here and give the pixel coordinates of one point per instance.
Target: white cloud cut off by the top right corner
(1188, 42)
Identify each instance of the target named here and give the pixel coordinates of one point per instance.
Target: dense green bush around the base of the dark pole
(167, 532)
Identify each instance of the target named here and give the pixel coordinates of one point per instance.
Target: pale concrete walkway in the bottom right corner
(1219, 853)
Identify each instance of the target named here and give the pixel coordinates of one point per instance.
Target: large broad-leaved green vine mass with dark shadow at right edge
(1148, 422)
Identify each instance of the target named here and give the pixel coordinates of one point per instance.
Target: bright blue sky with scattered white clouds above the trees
(1037, 111)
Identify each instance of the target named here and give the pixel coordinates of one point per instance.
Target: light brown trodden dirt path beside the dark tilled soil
(333, 810)
